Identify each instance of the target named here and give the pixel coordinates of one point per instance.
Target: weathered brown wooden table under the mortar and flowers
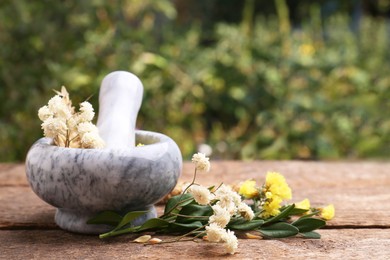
(360, 192)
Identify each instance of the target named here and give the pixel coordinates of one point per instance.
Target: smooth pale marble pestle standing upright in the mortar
(120, 99)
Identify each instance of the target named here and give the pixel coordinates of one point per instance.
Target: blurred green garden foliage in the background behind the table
(251, 90)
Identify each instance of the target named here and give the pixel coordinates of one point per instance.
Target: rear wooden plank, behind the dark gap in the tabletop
(359, 191)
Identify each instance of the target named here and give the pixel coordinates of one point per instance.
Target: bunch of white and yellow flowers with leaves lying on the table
(216, 213)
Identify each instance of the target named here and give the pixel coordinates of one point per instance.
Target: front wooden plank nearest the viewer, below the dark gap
(57, 244)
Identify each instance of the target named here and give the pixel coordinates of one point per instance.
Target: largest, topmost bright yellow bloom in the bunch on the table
(277, 185)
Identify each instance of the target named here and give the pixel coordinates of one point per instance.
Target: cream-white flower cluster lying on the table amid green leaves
(226, 204)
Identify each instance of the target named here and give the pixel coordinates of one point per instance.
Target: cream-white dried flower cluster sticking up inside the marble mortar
(67, 128)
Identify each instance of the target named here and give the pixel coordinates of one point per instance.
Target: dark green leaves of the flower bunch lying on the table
(182, 215)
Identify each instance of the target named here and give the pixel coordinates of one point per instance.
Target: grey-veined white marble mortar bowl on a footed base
(82, 182)
